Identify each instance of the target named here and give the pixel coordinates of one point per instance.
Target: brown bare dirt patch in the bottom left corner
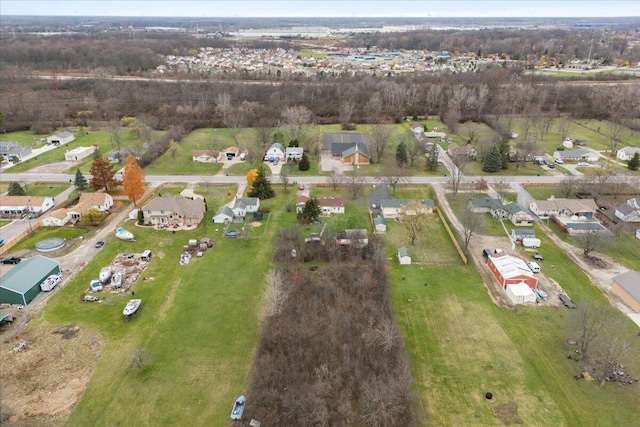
(42, 383)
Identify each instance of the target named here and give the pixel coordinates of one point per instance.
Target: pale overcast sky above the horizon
(326, 8)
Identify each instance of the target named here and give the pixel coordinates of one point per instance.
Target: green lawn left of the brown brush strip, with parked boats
(199, 324)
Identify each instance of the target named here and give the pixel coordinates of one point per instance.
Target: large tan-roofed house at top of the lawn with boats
(176, 211)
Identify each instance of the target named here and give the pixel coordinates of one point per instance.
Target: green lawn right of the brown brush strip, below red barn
(461, 345)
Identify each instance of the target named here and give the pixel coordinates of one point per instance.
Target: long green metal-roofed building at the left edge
(22, 283)
